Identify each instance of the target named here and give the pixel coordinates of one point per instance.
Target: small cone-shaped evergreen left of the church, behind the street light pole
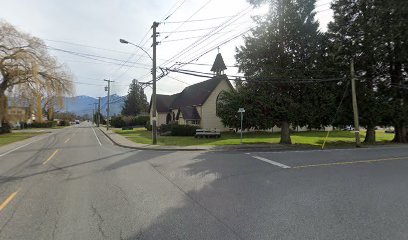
(136, 100)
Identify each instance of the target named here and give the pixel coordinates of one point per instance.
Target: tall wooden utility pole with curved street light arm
(153, 101)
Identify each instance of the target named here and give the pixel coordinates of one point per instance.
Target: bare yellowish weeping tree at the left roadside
(26, 68)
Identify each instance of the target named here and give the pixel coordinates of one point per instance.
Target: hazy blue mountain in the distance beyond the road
(81, 105)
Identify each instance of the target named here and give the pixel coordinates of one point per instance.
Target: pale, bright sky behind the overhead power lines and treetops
(92, 29)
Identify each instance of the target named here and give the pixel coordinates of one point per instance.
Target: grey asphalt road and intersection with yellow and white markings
(74, 184)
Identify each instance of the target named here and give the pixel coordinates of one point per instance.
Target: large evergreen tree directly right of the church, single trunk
(285, 49)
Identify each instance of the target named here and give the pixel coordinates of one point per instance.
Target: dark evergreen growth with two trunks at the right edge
(370, 32)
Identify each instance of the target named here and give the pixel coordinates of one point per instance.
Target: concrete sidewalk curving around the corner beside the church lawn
(124, 142)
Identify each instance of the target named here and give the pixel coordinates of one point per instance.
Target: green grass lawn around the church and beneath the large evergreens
(314, 138)
